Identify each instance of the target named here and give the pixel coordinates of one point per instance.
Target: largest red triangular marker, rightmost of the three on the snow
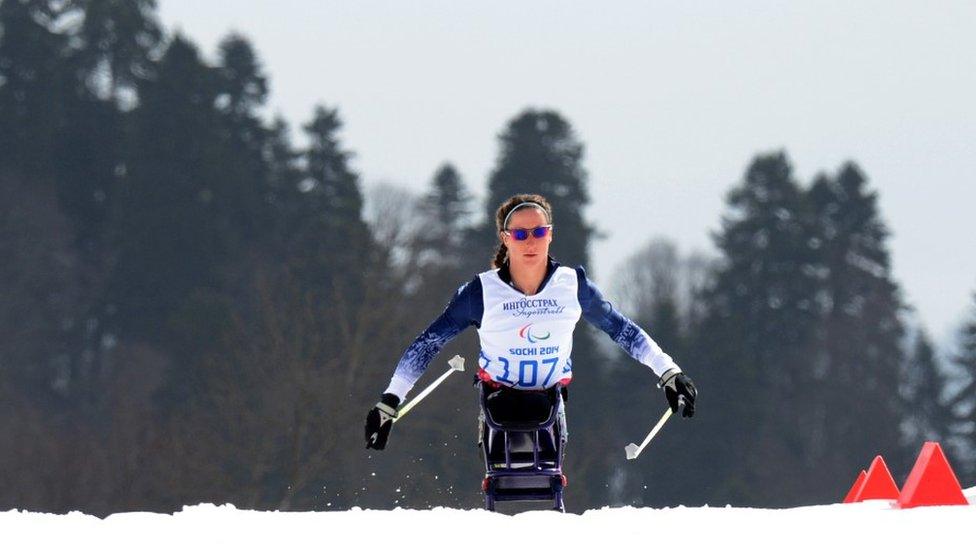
(931, 481)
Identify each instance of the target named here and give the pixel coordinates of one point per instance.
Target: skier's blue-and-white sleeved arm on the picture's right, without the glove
(623, 331)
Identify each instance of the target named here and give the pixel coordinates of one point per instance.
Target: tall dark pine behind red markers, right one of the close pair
(862, 333)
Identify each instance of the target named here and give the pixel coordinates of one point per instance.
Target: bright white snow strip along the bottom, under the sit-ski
(868, 524)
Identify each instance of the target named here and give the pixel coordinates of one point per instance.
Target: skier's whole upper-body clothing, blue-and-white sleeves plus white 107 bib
(526, 341)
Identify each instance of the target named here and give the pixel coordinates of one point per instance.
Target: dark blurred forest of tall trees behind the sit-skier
(195, 309)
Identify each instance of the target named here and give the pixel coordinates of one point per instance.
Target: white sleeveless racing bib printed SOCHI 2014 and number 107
(526, 342)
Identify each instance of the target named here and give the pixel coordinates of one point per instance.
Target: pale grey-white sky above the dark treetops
(671, 99)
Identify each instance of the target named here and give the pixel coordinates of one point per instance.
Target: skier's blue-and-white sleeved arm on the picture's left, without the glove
(465, 309)
